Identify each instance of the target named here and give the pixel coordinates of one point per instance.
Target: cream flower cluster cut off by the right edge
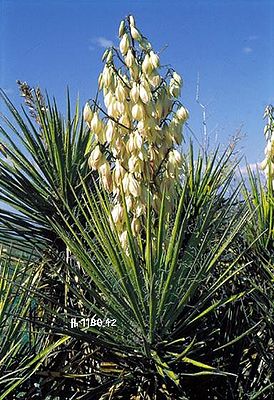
(268, 163)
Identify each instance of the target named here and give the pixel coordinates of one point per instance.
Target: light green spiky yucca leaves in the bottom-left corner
(23, 348)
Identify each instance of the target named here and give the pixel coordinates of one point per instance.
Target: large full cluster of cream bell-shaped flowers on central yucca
(137, 134)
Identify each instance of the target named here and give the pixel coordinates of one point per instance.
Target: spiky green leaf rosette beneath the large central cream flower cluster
(153, 310)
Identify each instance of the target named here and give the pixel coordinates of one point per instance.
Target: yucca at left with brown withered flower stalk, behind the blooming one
(42, 154)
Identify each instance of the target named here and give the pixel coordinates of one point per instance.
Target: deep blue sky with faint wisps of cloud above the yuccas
(229, 43)
